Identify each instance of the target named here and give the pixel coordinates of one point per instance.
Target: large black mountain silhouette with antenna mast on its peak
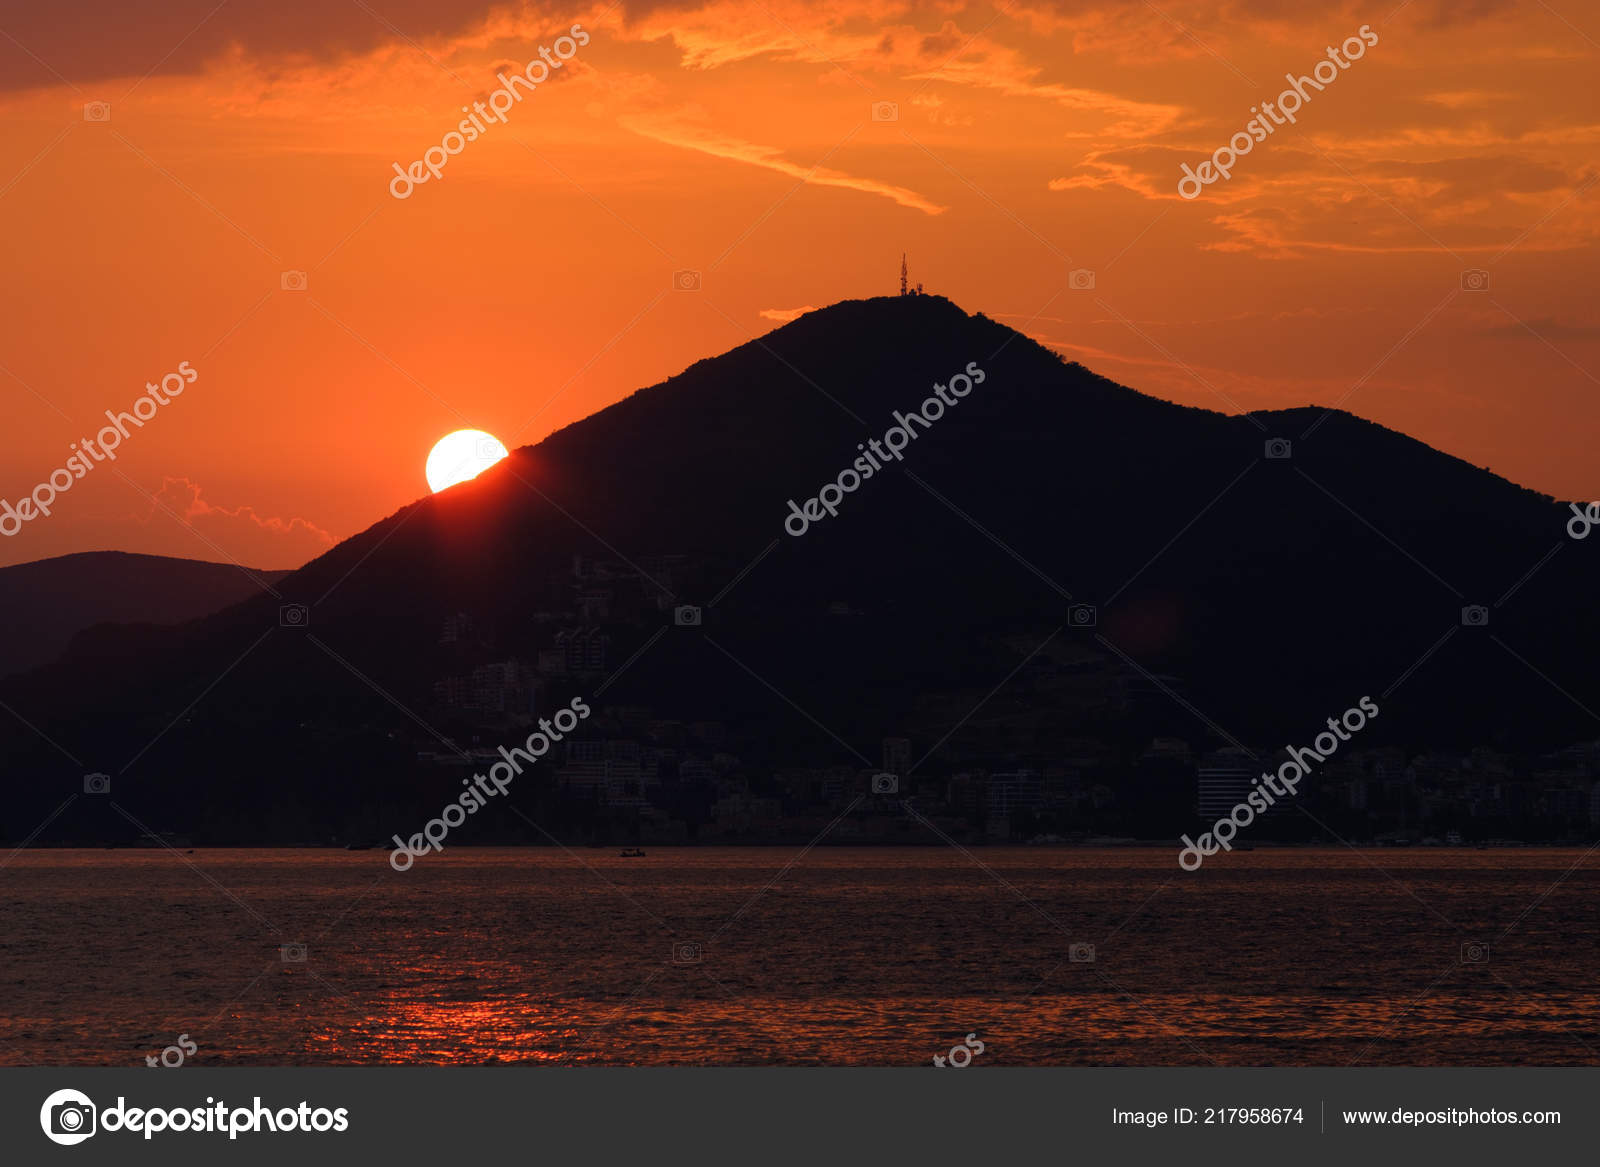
(1058, 559)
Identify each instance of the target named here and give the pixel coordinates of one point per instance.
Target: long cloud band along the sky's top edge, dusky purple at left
(95, 41)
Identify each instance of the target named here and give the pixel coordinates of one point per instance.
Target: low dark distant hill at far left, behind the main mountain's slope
(50, 601)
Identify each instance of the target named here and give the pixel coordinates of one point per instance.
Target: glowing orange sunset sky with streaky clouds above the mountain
(534, 283)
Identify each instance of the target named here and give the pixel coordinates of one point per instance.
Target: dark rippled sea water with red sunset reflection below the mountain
(737, 956)
